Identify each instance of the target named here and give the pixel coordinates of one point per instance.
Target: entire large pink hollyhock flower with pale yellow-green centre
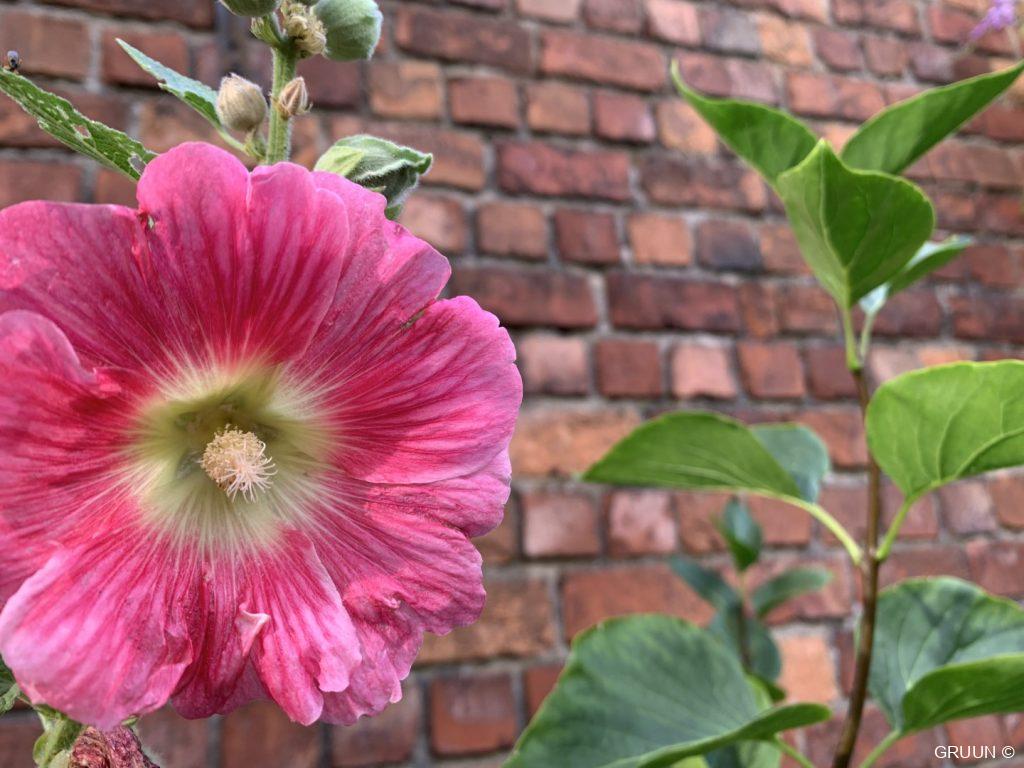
(243, 446)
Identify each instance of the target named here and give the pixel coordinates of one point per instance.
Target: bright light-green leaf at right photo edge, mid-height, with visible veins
(930, 428)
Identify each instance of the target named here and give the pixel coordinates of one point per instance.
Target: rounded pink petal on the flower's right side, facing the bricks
(437, 401)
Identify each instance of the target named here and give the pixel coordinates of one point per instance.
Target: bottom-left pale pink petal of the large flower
(101, 631)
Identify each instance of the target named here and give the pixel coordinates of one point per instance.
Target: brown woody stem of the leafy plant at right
(870, 590)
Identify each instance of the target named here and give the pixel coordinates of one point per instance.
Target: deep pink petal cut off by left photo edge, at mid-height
(58, 422)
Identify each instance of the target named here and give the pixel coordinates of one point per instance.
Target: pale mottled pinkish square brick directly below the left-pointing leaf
(642, 523)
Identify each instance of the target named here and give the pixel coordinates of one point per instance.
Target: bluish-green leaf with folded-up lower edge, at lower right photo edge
(946, 650)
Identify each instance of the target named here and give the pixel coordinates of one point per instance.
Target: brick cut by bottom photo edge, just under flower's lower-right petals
(387, 739)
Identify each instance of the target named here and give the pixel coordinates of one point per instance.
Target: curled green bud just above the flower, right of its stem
(386, 167)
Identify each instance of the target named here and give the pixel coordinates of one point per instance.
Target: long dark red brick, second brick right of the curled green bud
(541, 169)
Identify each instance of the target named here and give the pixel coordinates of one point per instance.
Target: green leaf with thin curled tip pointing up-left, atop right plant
(770, 140)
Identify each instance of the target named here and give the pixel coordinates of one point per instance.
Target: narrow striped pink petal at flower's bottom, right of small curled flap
(309, 646)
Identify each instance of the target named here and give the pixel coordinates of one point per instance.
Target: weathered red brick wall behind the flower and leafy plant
(641, 268)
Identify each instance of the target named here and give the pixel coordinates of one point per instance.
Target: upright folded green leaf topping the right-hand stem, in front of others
(857, 230)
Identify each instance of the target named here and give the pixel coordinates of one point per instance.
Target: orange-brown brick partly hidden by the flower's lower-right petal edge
(518, 622)
